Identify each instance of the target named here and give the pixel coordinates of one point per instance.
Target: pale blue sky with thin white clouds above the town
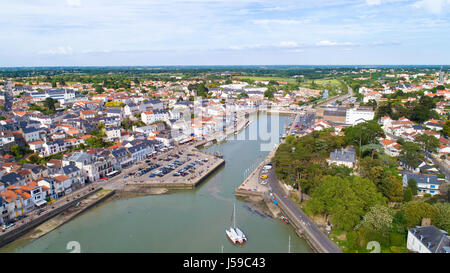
(223, 32)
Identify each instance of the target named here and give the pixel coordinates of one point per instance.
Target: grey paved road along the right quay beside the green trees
(320, 238)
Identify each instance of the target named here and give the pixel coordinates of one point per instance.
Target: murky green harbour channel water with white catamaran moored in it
(182, 221)
